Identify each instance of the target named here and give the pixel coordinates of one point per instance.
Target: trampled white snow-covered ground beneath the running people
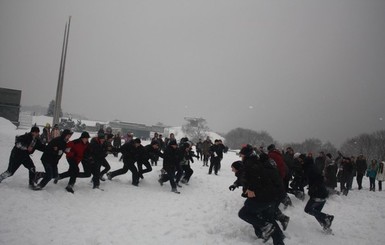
(204, 213)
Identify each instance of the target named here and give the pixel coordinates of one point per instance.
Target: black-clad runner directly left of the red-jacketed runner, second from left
(51, 156)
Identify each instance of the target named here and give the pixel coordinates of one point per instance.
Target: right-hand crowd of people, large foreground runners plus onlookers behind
(268, 176)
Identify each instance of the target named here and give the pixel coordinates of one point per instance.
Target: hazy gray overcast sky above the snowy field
(297, 69)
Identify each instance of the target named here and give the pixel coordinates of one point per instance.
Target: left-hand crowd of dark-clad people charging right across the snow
(91, 152)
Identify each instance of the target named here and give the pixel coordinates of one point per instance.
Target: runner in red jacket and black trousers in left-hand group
(75, 152)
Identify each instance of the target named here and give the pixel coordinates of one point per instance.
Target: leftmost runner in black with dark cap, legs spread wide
(25, 145)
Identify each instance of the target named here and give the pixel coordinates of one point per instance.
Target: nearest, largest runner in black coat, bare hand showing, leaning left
(264, 188)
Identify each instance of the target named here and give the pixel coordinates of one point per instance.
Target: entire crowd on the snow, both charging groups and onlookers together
(266, 176)
